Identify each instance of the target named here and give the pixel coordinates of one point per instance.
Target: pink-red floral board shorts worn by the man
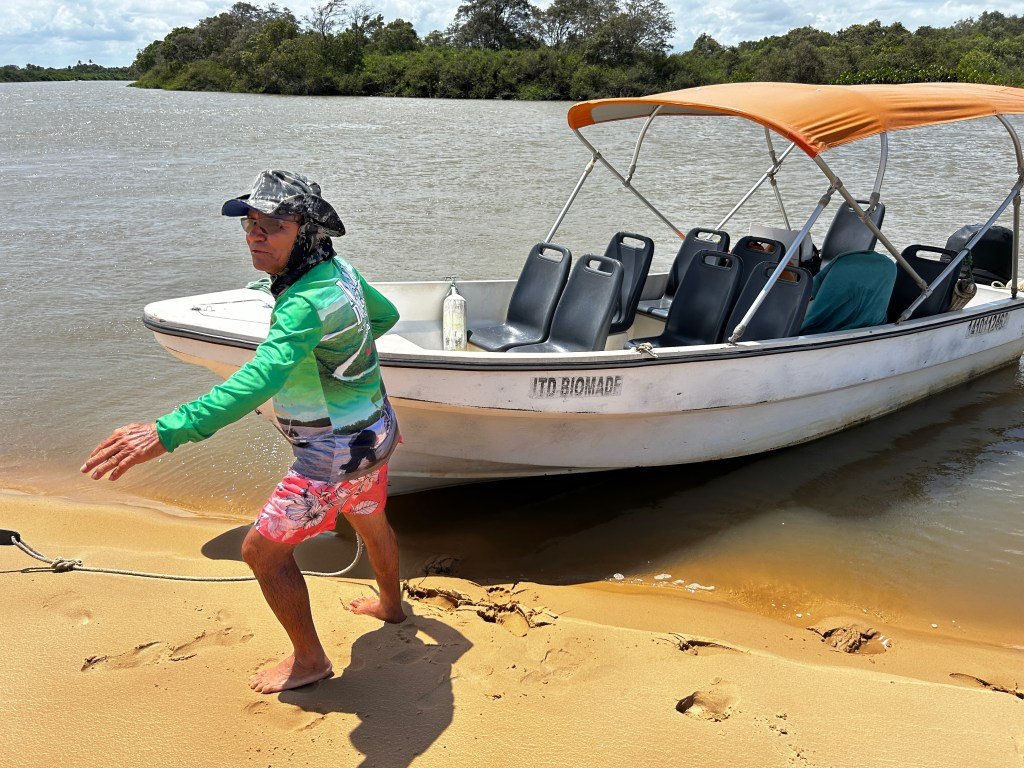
(301, 508)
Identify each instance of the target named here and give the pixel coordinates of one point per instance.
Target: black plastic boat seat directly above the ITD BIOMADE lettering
(584, 313)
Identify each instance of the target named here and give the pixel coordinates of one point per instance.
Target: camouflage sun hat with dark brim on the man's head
(287, 194)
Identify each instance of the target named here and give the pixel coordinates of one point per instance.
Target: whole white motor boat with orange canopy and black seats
(714, 370)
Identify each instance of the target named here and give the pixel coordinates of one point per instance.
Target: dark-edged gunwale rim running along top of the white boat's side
(586, 361)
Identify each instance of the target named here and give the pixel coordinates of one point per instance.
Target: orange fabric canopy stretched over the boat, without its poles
(817, 117)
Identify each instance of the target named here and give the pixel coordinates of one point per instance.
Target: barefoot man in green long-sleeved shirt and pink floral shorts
(319, 365)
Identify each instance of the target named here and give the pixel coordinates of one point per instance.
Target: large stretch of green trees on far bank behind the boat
(574, 50)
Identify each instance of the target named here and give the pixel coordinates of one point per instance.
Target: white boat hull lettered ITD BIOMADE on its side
(475, 417)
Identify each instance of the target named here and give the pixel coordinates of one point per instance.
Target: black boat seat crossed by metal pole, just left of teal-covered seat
(783, 311)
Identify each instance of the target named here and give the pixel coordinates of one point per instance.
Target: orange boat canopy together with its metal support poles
(817, 118)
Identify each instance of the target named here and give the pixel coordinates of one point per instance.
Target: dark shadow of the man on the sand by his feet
(399, 684)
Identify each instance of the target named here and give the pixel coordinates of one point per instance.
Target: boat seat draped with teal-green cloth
(851, 291)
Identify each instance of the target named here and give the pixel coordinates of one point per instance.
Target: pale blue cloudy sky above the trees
(52, 33)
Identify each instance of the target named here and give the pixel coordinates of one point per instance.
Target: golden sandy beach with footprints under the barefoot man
(114, 671)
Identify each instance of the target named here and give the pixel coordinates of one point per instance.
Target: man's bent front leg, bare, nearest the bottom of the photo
(286, 593)
